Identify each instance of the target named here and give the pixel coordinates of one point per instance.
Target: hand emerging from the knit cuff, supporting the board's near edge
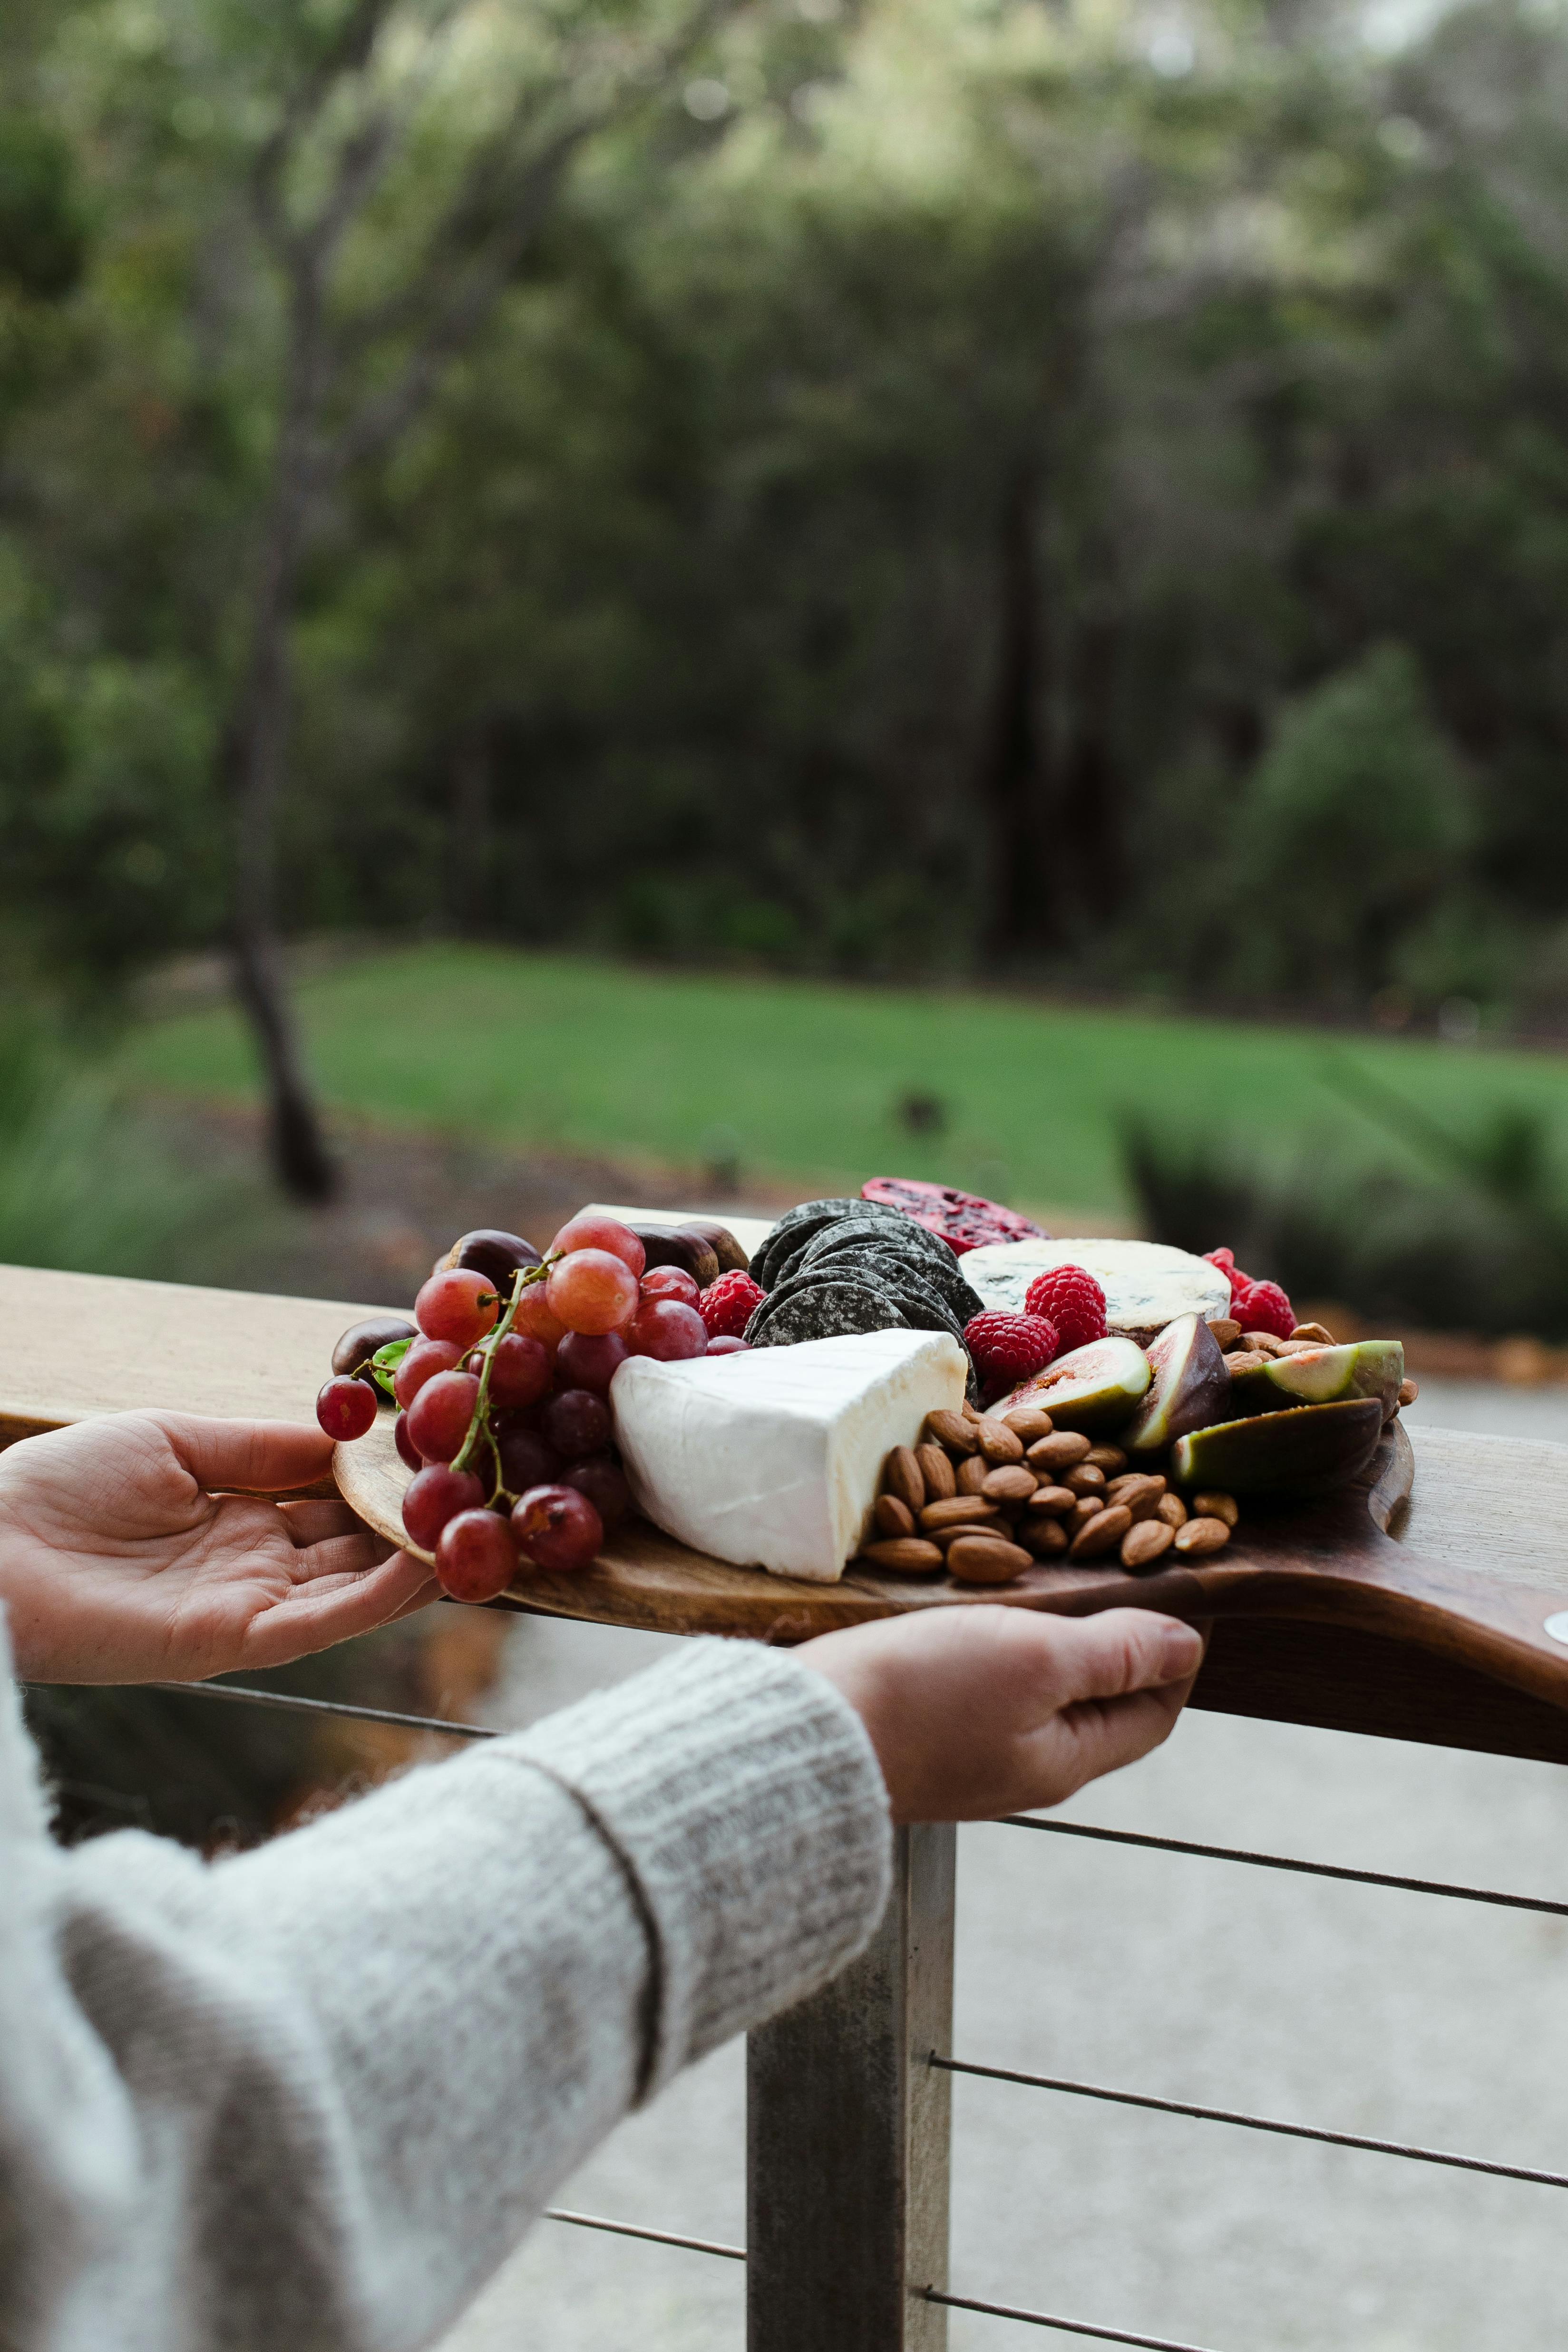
(989, 1711)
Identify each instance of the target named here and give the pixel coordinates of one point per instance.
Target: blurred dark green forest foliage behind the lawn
(1073, 490)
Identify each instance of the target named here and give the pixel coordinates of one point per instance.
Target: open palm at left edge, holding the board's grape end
(121, 1563)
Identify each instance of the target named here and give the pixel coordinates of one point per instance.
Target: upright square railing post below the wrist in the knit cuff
(847, 2132)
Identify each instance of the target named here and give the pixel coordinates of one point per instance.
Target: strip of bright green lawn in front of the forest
(805, 1078)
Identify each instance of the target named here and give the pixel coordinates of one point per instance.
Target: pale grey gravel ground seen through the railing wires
(1360, 2010)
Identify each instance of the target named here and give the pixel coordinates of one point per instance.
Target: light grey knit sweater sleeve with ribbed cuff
(311, 2097)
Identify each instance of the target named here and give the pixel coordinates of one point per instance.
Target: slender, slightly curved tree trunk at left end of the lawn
(257, 763)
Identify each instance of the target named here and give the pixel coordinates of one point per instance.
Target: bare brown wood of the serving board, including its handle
(1332, 1563)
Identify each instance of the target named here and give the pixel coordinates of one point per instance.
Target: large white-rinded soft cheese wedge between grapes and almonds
(772, 1459)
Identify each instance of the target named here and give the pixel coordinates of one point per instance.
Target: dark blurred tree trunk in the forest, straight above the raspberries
(1014, 766)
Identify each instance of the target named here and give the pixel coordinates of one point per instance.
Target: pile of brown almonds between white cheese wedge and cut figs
(986, 1497)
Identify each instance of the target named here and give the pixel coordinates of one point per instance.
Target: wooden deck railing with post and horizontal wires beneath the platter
(850, 2094)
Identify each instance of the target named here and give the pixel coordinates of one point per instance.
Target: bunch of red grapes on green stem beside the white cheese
(504, 1401)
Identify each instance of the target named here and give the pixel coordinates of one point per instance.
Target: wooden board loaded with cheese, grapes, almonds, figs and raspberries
(777, 1431)
